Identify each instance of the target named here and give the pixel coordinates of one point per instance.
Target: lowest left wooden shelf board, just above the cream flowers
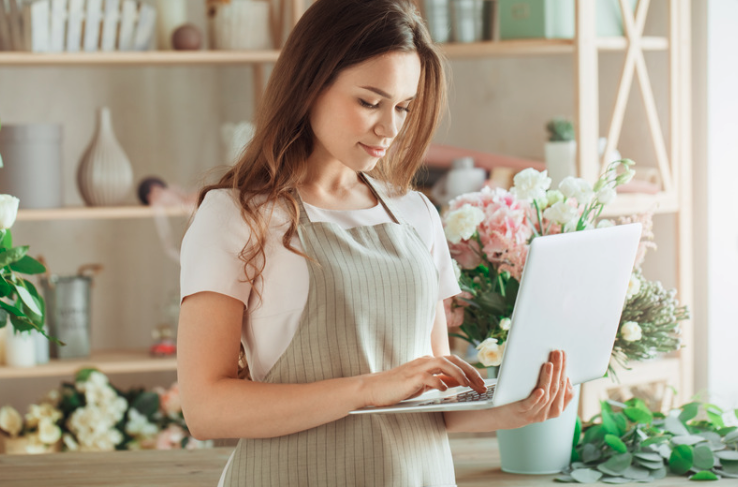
(107, 361)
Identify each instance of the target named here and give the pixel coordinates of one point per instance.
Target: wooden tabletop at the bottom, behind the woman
(476, 459)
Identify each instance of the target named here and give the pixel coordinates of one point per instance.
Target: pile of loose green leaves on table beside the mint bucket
(633, 444)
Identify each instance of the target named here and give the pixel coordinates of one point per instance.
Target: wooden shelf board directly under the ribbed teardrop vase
(99, 213)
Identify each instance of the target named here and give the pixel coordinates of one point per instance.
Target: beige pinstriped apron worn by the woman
(372, 297)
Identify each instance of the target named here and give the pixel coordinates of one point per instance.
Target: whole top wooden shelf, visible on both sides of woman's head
(522, 47)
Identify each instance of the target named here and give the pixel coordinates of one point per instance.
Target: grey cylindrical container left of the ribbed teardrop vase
(33, 159)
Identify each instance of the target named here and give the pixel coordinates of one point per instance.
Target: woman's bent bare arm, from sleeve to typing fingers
(217, 404)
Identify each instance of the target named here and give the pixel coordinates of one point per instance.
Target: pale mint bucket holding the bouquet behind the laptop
(540, 448)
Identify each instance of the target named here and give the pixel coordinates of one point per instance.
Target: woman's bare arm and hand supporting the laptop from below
(548, 400)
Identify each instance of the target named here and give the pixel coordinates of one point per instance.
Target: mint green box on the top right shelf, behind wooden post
(554, 19)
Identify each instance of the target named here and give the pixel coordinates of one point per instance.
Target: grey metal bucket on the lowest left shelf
(68, 310)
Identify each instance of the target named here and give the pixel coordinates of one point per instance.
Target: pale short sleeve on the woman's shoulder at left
(210, 250)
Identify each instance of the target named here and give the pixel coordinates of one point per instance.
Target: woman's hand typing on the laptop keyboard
(413, 378)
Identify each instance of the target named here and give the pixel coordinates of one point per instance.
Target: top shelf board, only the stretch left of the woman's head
(124, 58)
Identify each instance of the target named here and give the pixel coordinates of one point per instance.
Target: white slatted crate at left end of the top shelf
(76, 25)
